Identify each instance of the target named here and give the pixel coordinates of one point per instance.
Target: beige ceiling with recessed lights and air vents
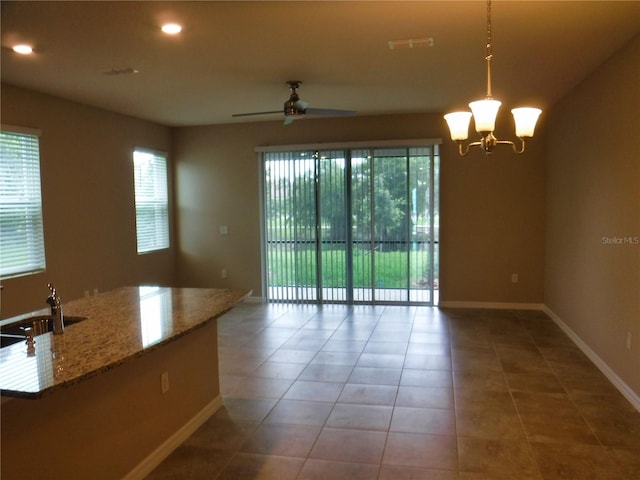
(235, 57)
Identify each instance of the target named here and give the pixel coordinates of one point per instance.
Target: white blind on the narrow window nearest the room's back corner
(151, 198)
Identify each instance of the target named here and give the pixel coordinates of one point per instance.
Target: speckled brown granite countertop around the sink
(120, 325)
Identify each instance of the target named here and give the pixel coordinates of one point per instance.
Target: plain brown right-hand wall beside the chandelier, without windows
(594, 192)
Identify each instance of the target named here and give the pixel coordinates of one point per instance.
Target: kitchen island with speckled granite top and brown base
(114, 394)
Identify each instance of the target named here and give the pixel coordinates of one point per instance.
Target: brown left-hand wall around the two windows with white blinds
(87, 191)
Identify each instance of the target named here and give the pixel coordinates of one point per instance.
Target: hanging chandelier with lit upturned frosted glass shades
(485, 112)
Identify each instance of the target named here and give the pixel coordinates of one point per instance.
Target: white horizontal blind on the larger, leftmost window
(21, 230)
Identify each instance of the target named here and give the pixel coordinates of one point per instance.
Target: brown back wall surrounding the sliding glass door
(492, 208)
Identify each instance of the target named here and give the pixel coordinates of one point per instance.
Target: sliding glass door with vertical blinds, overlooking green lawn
(351, 225)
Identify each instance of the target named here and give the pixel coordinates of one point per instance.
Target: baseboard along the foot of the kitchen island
(156, 457)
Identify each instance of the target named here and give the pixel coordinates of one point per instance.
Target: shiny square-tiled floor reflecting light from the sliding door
(371, 392)
